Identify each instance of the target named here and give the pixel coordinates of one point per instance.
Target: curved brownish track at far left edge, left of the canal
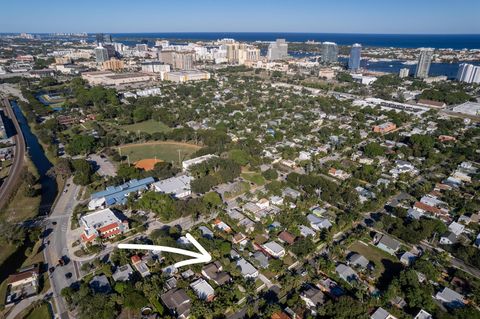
(19, 156)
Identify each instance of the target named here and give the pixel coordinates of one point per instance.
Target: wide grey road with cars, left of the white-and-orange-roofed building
(56, 245)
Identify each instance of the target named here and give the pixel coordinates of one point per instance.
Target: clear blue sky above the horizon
(333, 16)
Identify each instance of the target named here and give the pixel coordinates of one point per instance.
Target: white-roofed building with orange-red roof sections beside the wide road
(103, 223)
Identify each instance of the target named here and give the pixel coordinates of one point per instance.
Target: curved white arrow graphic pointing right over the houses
(198, 258)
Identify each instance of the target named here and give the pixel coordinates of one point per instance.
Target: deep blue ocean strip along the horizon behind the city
(439, 41)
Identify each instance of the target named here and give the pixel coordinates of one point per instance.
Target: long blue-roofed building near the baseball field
(117, 195)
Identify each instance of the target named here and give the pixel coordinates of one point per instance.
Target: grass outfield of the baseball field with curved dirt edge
(166, 151)
